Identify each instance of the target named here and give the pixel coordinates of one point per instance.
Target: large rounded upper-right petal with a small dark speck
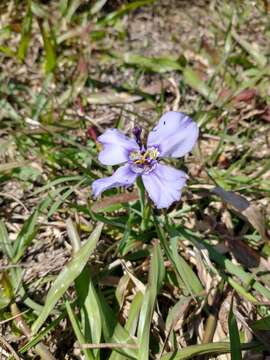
(175, 134)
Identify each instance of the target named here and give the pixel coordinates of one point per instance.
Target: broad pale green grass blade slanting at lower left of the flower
(66, 277)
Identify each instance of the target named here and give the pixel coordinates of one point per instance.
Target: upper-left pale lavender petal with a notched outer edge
(116, 147)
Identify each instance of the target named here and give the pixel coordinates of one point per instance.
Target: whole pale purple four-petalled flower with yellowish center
(174, 136)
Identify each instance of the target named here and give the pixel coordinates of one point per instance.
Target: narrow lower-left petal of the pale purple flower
(123, 176)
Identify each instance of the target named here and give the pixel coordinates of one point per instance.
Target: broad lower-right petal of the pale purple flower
(164, 185)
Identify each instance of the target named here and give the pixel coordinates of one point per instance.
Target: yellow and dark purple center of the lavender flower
(143, 162)
